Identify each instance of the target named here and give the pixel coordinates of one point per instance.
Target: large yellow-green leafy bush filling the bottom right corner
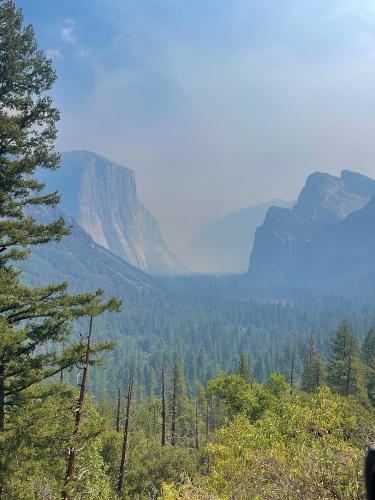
(308, 447)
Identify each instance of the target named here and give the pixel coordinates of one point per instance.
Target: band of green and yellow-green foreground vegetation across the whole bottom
(236, 439)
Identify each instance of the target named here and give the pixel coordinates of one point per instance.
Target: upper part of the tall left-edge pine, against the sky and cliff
(28, 131)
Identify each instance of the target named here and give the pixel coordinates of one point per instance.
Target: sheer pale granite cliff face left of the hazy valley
(102, 198)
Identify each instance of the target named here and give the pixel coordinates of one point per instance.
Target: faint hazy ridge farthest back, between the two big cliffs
(224, 247)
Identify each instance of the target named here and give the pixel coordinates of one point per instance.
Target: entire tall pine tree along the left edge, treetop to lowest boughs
(30, 317)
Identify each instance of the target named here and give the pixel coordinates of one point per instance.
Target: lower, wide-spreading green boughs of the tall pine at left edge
(31, 318)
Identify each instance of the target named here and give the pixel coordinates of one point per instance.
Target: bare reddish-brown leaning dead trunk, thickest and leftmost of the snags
(67, 494)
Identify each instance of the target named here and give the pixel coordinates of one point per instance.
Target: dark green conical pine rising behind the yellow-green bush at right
(346, 370)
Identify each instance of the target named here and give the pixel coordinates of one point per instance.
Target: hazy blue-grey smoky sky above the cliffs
(216, 104)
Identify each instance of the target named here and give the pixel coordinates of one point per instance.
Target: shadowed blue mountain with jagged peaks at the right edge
(329, 234)
